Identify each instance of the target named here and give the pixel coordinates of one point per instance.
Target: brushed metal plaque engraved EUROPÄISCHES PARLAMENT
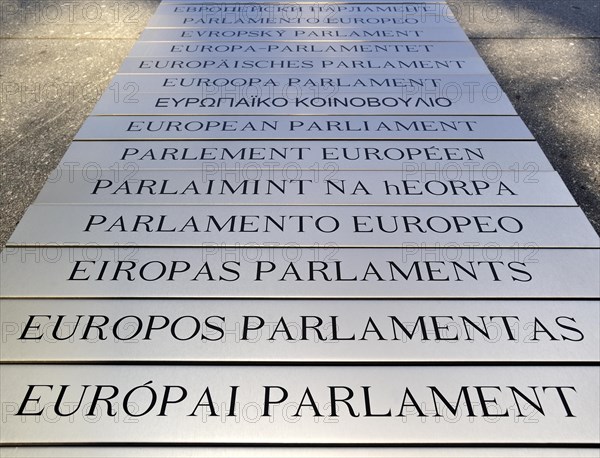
(312, 66)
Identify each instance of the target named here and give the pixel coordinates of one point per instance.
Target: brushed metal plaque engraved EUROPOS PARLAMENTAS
(250, 331)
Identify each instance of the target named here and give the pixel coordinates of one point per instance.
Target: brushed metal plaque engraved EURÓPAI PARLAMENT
(279, 405)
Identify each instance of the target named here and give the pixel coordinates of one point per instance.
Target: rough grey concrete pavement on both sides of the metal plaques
(57, 57)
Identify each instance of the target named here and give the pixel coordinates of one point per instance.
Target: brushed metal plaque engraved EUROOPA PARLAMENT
(125, 88)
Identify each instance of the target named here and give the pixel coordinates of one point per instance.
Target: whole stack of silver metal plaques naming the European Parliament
(302, 229)
